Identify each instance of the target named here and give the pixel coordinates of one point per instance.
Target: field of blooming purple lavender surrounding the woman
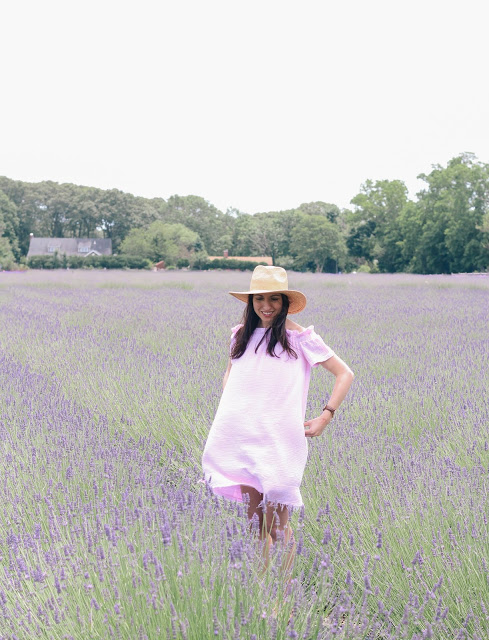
(108, 386)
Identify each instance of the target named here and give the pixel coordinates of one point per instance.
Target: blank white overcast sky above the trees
(260, 105)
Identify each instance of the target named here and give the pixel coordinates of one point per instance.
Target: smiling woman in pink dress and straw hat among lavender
(257, 448)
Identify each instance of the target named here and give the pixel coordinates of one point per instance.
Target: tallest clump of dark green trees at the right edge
(443, 232)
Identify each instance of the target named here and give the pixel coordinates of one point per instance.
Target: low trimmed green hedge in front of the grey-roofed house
(90, 262)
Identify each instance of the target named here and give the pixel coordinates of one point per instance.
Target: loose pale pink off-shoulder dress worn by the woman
(257, 437)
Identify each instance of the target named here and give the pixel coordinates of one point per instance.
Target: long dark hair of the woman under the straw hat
(276, 333)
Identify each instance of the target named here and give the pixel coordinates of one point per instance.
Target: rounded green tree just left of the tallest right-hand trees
(318, 242)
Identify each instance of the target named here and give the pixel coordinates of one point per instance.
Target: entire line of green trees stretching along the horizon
(445, 230)
